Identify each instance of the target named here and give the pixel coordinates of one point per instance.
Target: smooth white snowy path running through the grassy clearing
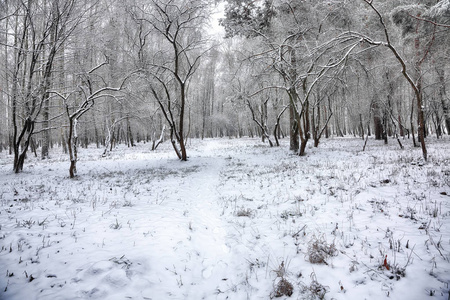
(193, 235)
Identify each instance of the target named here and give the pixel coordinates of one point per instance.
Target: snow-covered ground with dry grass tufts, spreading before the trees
(239, 220)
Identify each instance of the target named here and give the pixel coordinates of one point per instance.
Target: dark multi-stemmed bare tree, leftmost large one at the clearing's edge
(36, 42)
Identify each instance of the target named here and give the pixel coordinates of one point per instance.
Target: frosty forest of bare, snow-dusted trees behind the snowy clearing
(75, 73)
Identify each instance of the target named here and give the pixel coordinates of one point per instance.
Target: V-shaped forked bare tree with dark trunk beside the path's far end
(176, 24)
